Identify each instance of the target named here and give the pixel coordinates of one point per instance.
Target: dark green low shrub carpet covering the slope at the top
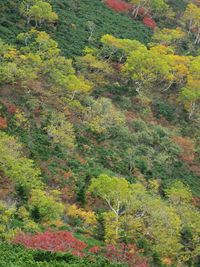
(71, 31)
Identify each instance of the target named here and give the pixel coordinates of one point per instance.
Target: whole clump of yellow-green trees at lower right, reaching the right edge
(136, 211)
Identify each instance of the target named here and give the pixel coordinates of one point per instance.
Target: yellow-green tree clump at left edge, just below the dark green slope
(38, 63)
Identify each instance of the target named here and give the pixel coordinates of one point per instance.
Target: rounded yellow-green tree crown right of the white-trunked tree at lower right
(163, 227)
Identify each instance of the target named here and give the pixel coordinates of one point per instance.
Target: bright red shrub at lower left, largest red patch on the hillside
(61, 241)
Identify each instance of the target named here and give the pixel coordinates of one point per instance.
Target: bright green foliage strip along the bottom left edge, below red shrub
(17, 256)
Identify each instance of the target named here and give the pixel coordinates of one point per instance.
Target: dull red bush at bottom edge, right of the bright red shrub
(125, 254)
